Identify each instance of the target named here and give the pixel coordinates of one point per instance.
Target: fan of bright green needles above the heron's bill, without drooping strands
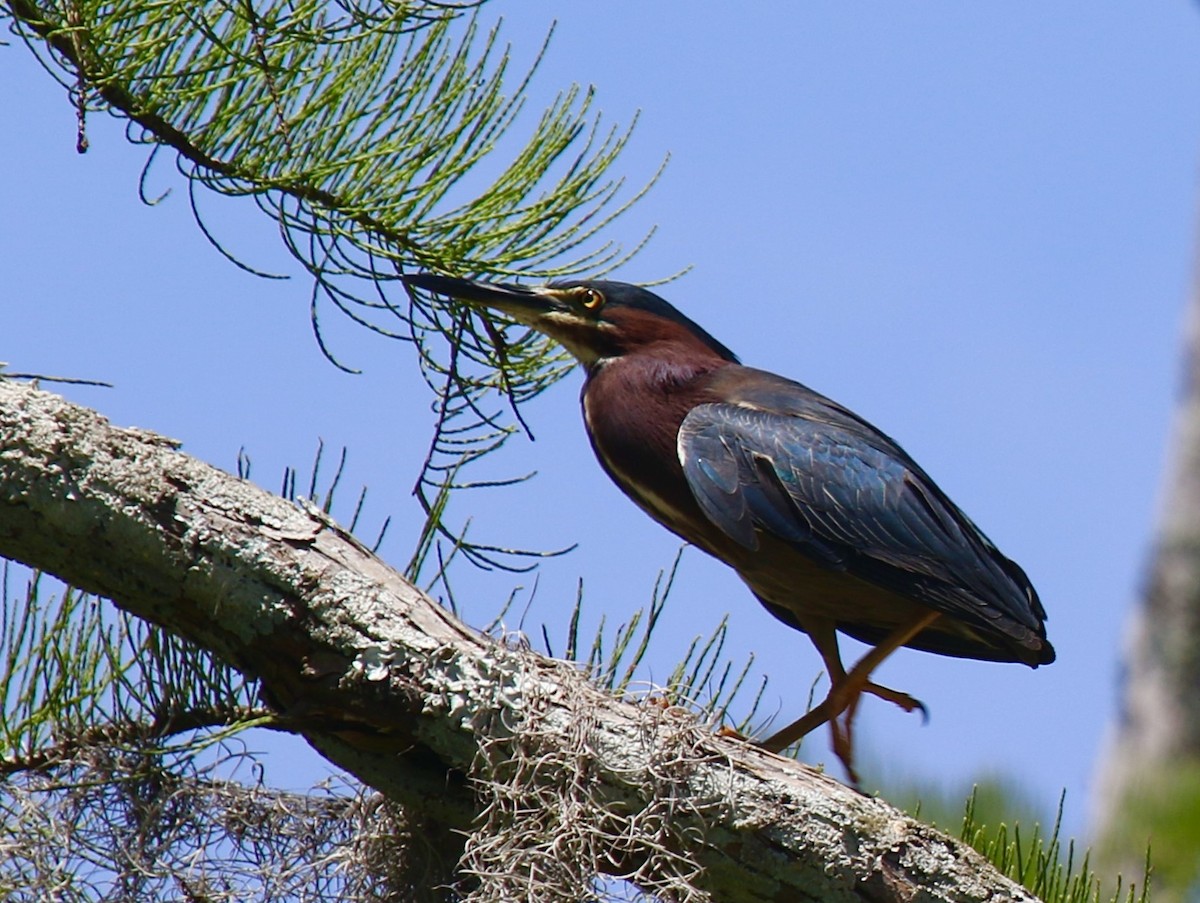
(357, 127)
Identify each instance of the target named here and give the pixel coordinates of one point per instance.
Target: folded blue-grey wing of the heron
(820, 479)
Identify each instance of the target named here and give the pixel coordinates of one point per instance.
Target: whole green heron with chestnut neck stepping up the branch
(829, 522)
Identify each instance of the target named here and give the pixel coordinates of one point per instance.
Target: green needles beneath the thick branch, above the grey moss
(75, 674)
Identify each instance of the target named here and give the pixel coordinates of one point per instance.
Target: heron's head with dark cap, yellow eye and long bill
(593, 320)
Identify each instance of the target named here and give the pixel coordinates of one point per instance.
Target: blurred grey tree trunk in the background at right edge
(1149, 788)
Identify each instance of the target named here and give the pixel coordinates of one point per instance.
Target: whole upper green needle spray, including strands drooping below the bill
(373, 136)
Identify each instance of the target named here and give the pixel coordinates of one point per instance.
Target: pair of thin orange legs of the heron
(847, 687)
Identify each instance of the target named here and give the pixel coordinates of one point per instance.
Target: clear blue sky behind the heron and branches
(971, 223)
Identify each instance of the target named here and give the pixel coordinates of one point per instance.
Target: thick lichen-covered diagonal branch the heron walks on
(394, 690)
